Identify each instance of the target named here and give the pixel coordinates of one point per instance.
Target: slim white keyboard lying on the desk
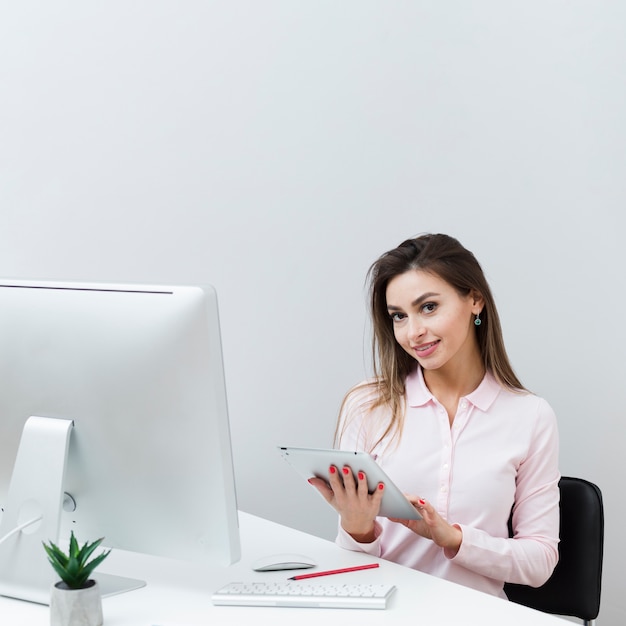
(304, 594)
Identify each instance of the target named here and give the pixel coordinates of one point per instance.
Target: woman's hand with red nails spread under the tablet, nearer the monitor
(356, 507)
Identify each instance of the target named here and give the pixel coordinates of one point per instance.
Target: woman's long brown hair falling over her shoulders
(446, 258)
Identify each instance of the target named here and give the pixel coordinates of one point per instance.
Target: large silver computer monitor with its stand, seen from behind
(114, 396)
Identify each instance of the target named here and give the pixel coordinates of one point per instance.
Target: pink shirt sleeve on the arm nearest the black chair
(531, 555)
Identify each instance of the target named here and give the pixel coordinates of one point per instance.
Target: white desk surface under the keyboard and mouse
(179, 594)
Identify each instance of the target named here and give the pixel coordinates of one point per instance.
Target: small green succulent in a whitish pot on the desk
(75, 600)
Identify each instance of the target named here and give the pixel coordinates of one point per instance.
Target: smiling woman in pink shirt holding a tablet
(449, 421)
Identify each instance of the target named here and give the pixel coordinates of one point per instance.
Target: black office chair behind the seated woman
(574, 587)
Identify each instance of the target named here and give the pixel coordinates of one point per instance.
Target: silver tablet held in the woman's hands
(310, 462)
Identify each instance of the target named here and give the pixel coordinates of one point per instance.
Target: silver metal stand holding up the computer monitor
(34, 501)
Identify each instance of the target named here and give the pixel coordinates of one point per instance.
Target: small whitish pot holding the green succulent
(75, 607)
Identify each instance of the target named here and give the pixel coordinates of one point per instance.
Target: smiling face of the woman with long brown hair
(431, 321)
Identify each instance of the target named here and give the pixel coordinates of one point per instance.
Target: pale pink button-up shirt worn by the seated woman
(501, 452)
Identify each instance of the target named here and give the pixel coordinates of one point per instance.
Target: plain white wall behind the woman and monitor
(275, 149)
